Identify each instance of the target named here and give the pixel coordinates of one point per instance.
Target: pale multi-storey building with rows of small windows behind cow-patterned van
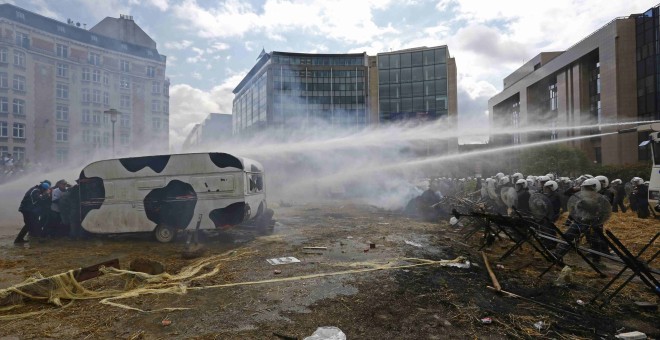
(57, 80)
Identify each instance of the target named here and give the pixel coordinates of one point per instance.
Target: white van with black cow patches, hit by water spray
(167, 193)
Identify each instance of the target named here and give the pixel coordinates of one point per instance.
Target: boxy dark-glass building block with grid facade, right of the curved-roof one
(413, 84)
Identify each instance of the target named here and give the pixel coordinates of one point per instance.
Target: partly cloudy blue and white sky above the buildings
(211, 44)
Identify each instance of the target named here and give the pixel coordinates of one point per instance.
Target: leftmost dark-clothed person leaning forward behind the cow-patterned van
(31, 208)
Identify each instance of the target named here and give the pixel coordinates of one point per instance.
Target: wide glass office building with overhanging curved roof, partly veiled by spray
(297, 90)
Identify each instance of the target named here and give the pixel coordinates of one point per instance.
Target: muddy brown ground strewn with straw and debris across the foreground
(429, 302)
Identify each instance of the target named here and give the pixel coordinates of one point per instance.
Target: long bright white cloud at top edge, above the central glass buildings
(329, 19)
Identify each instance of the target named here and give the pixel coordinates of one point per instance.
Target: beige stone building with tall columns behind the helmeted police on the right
(593, 81)
